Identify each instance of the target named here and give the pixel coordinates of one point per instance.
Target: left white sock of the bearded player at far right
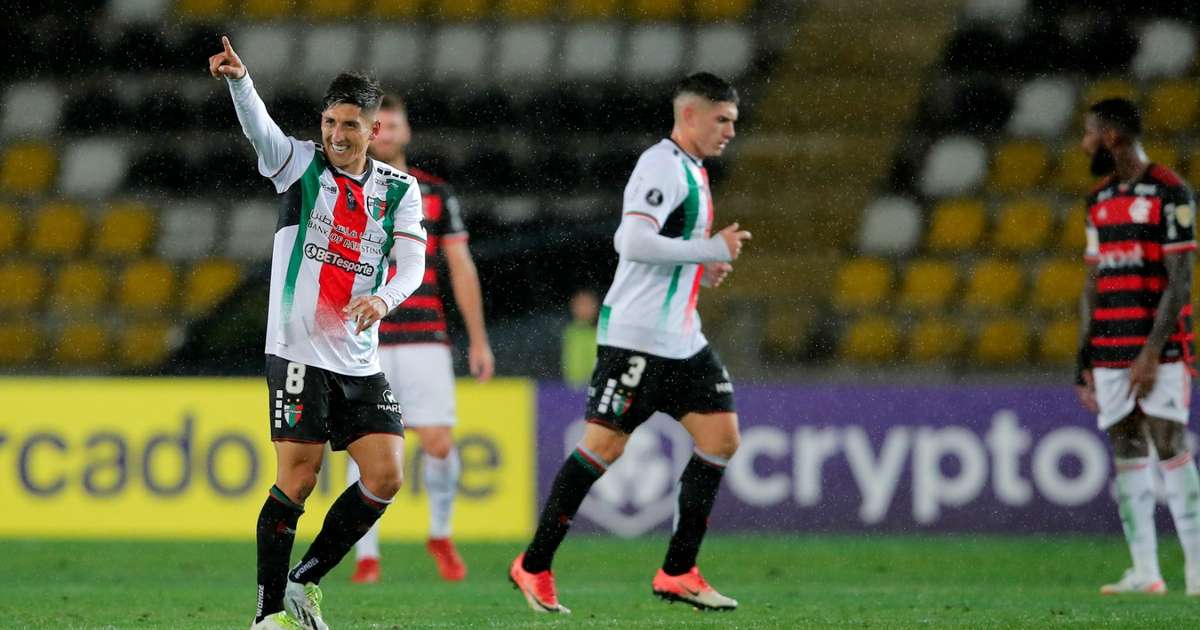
(1136, 502)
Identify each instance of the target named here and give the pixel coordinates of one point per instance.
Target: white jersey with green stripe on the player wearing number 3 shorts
(652, 308)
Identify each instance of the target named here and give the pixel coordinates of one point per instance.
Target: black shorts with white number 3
(628, 387)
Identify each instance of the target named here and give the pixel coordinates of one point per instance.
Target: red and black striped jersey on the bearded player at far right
(1131, 229)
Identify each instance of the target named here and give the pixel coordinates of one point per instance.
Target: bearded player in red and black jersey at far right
(1136, 338)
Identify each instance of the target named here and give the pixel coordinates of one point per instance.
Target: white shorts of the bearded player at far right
(1169, 400)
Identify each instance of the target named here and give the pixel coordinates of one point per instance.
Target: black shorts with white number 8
(317, 406)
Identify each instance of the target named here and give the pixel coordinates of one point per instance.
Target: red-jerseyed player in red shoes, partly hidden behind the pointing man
(416, 335)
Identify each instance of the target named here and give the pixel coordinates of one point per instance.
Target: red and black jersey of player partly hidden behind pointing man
(422, 319)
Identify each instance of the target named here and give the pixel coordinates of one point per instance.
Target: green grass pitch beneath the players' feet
(781, 583)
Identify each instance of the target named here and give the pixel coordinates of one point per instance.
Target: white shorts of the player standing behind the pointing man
(422, 377)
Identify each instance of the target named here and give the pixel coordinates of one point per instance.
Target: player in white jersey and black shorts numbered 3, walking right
(652, 356)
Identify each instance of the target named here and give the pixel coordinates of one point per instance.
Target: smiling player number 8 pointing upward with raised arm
(344, 215)
